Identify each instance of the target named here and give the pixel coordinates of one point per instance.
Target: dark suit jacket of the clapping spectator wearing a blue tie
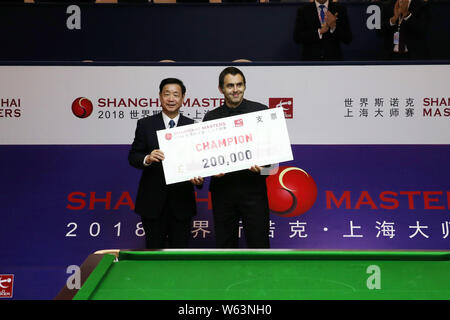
(329, 47)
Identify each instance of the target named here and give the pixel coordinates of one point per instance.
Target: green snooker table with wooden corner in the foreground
(246, 274)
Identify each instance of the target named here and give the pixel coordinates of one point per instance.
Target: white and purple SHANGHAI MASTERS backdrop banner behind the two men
(370, 168)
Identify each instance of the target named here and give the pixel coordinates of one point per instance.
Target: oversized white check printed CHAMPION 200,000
(225, 145)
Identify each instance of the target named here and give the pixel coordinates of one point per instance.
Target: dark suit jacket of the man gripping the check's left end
(153, 193)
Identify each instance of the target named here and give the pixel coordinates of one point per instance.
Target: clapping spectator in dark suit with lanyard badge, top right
(404, 28)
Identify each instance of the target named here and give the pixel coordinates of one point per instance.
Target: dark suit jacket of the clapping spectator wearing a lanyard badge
(414, 30)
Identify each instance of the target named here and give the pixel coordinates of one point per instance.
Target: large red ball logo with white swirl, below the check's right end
(291, 192)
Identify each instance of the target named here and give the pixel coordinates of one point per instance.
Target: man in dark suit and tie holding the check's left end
(166, 210)
